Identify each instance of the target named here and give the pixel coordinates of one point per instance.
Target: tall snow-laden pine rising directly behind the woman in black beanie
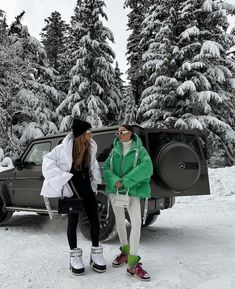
(91, 95)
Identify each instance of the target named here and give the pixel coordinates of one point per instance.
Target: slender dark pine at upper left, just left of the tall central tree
(55, 40)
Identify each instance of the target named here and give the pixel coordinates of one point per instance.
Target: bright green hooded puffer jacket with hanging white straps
(133, 171)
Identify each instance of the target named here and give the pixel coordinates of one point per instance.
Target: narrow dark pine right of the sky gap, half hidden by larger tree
(136, 16)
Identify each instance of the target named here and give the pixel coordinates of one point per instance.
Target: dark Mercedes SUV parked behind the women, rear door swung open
(179, 163)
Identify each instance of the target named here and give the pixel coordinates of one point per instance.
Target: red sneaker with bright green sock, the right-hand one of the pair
(135, 268)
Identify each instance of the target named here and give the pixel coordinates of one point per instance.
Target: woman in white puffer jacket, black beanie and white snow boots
(75, 160)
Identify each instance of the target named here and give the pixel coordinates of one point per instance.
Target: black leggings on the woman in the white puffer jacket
(90, 207)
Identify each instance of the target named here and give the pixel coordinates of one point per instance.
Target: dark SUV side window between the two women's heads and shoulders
(105, 144)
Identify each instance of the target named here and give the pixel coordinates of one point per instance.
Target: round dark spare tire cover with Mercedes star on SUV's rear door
(178, 165)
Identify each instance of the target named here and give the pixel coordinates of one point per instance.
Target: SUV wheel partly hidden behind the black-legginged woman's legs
(107, 226)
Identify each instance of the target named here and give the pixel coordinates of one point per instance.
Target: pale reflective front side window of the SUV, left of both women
(37, 152)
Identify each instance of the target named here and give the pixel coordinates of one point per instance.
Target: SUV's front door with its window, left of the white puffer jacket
(27, 180)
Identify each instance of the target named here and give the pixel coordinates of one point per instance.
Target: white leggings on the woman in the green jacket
(134, 211)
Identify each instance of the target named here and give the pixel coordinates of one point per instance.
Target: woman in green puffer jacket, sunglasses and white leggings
(128, 168)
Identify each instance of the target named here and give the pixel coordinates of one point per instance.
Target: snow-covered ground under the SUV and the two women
(191, 246)
